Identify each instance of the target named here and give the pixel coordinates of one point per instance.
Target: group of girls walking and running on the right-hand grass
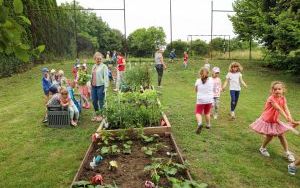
(208, 91)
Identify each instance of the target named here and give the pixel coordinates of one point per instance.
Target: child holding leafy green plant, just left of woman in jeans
(83, 78)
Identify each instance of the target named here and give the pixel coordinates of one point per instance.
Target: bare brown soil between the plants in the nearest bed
(130, 172)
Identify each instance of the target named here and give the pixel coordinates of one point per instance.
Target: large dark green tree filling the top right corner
(275, 24)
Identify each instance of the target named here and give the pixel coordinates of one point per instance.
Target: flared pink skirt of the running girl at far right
(265, 128)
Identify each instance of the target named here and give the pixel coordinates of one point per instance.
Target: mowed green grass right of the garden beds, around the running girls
(227, 155)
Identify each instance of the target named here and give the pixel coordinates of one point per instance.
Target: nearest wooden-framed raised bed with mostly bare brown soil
(132, 166)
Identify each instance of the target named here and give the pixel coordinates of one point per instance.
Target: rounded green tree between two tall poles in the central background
(143, 42)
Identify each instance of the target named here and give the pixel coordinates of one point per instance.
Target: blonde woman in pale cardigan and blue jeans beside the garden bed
(99, 84)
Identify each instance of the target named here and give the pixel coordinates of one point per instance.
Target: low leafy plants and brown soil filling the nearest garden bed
(153, 160)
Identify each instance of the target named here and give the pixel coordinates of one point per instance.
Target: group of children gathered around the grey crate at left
(59, 90)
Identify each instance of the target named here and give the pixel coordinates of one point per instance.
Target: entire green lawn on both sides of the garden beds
(32, 155)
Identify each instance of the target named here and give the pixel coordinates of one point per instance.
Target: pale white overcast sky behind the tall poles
(189, 16)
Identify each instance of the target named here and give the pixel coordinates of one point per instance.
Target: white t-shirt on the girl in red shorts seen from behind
(205, 92)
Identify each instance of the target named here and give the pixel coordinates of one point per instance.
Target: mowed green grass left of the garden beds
(32, 155)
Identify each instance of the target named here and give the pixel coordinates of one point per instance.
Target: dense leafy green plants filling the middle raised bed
(133, 110)
